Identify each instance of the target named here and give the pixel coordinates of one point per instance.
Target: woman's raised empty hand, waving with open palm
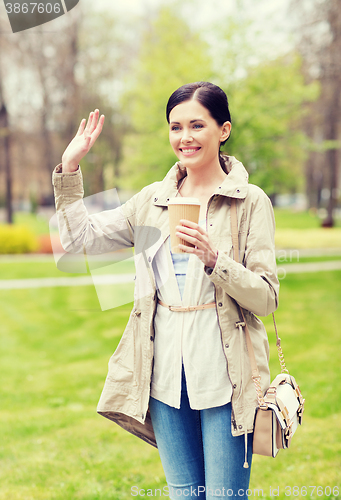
(82, 142)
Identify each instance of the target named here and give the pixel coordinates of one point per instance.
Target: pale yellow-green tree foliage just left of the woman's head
(171, 55)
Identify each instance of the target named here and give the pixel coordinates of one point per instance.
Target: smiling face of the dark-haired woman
(194, 135)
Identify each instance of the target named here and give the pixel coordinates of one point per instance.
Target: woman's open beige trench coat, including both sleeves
(253, 284)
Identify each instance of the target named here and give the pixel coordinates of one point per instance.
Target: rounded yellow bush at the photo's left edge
(17, 239)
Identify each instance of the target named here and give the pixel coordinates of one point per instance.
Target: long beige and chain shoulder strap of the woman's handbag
(255, 372)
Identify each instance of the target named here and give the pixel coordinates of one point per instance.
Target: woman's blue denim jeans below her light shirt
(199, 455)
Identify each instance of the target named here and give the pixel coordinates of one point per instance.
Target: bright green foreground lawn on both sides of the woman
(55, 346)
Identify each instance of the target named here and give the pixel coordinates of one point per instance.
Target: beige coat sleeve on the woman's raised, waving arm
(100, 233)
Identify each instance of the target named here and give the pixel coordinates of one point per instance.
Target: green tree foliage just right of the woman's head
(267, 107)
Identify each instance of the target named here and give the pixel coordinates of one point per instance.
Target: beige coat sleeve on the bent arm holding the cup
(252, 283)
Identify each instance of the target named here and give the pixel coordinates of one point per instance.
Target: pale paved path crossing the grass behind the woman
(107, 279)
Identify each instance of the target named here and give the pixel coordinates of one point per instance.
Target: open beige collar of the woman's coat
(234, 186)
